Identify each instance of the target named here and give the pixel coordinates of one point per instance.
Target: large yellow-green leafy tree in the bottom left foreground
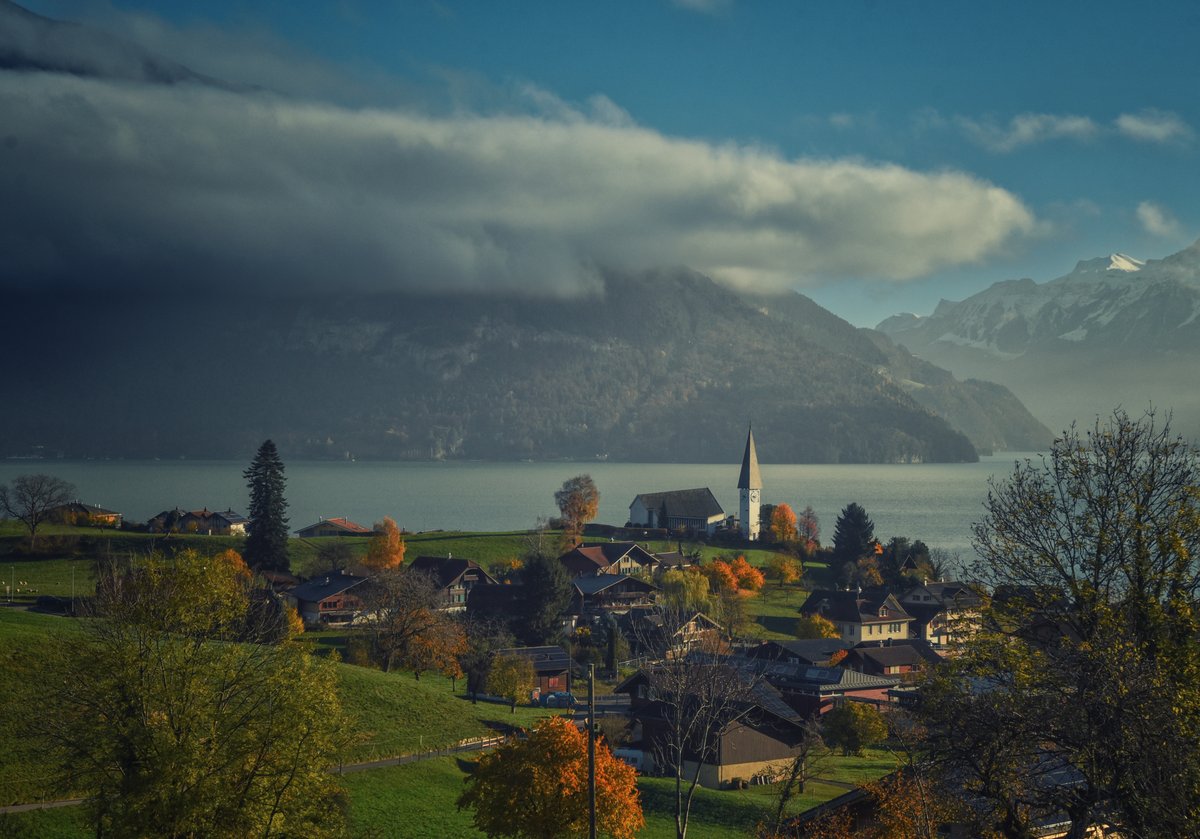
(177, 732)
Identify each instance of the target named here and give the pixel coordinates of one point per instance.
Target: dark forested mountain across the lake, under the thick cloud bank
(668, 367)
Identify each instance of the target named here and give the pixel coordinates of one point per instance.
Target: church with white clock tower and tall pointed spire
(698, 510)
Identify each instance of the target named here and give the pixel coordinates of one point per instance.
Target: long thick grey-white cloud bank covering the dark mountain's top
(115, 183)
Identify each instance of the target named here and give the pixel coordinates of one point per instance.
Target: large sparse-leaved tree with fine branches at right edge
(1087, 664)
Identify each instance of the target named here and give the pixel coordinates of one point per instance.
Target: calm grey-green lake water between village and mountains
(935, 504)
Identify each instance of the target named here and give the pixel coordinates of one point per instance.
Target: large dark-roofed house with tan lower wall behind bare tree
(755, 741)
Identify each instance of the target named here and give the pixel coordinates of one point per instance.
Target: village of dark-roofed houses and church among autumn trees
(635, 612)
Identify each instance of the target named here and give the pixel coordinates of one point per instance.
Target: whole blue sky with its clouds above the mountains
(877, 157)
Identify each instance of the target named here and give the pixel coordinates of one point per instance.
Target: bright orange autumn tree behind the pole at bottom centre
(538, 788)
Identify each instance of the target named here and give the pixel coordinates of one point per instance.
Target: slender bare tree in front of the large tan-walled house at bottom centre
(694, 693)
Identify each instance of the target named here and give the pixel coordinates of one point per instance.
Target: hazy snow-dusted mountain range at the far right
(1115, 332)
